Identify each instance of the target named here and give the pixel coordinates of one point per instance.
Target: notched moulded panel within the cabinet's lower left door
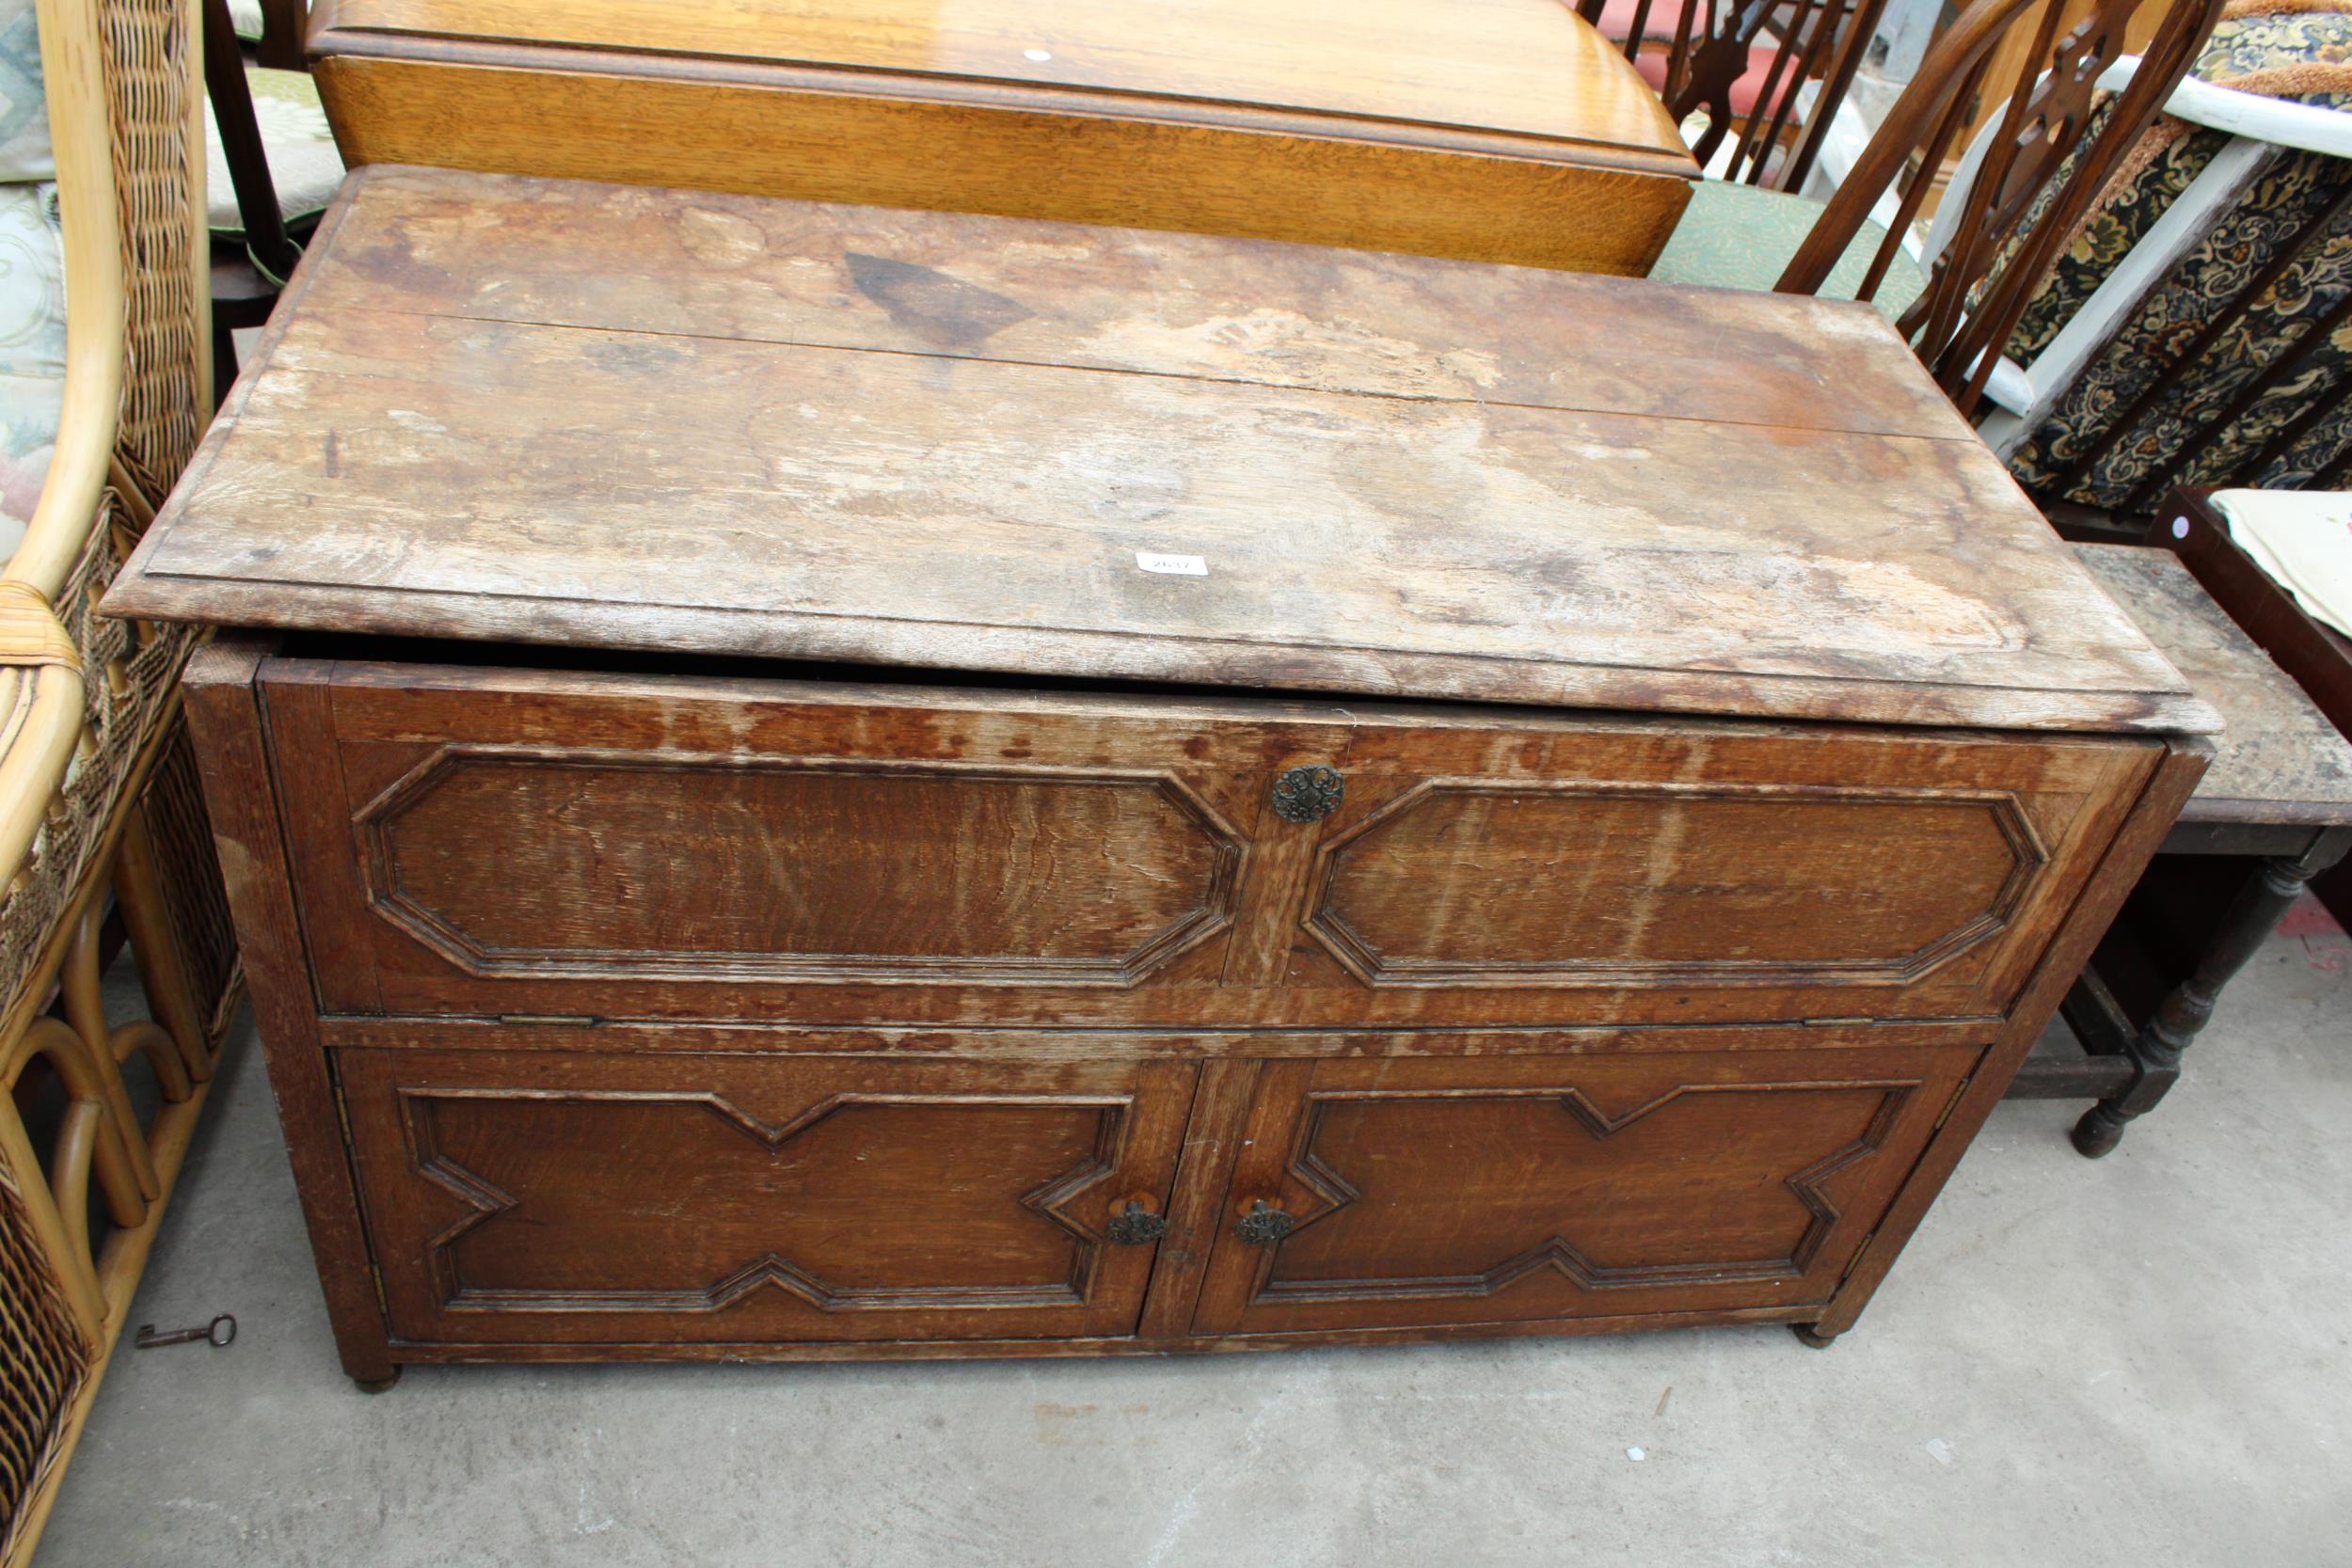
(841, 1207)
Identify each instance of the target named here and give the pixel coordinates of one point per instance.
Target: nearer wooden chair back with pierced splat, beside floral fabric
(2050, 159)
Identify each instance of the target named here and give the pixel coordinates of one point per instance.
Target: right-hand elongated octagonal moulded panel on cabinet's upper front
(1481, 883)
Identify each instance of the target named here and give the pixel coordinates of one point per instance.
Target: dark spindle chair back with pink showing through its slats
(1709, 46)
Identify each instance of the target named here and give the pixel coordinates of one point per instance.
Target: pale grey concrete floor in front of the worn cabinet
(2127, 1362)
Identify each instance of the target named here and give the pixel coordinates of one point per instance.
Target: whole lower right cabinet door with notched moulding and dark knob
(1506, 1191)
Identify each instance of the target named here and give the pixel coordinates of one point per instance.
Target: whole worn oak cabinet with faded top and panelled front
(909, 784)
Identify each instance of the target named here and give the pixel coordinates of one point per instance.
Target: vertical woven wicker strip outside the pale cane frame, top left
(152, 67)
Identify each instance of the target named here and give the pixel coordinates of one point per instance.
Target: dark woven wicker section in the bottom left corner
(44, 1362)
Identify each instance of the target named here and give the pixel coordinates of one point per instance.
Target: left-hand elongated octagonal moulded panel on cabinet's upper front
(577, 864)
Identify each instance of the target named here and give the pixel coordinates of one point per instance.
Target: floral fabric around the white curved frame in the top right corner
(2304, 420)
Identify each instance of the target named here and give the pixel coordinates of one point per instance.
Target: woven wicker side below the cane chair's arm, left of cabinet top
(128, 671)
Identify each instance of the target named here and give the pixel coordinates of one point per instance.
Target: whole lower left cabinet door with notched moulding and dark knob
(627, 1200)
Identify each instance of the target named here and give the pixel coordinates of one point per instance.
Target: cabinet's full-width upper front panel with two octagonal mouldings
(596, 845)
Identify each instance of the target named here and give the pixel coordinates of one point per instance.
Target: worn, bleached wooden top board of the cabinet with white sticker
(596, 415)
